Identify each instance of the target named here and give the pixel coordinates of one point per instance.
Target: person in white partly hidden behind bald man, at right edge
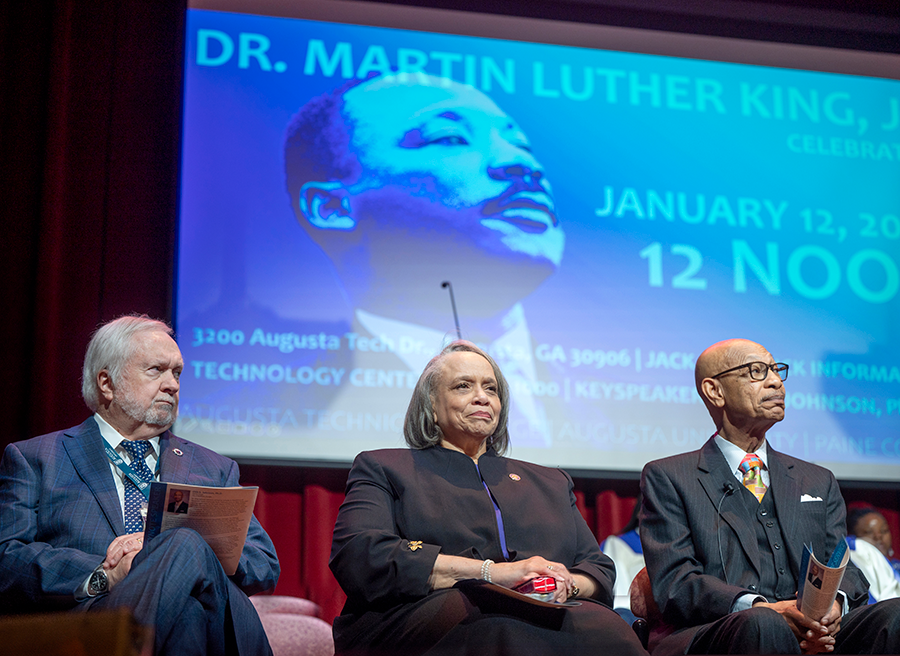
(870, 550)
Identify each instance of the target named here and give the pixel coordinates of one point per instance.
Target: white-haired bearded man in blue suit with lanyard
(72, 506)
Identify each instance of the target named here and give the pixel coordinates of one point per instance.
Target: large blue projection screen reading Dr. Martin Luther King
(603, 203)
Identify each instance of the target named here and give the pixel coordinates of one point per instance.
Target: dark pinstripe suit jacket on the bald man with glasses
(679, 535)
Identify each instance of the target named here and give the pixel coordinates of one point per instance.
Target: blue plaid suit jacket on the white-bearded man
(59, 511)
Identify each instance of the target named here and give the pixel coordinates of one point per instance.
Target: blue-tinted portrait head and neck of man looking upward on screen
(407, 180)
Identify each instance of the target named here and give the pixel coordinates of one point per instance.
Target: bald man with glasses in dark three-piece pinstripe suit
(723, 540)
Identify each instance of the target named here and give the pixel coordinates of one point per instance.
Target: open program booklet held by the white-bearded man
(221, 515)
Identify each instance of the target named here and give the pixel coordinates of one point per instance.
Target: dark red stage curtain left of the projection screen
(89, 179)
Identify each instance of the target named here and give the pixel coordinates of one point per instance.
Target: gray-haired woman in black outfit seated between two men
(430, 539)
